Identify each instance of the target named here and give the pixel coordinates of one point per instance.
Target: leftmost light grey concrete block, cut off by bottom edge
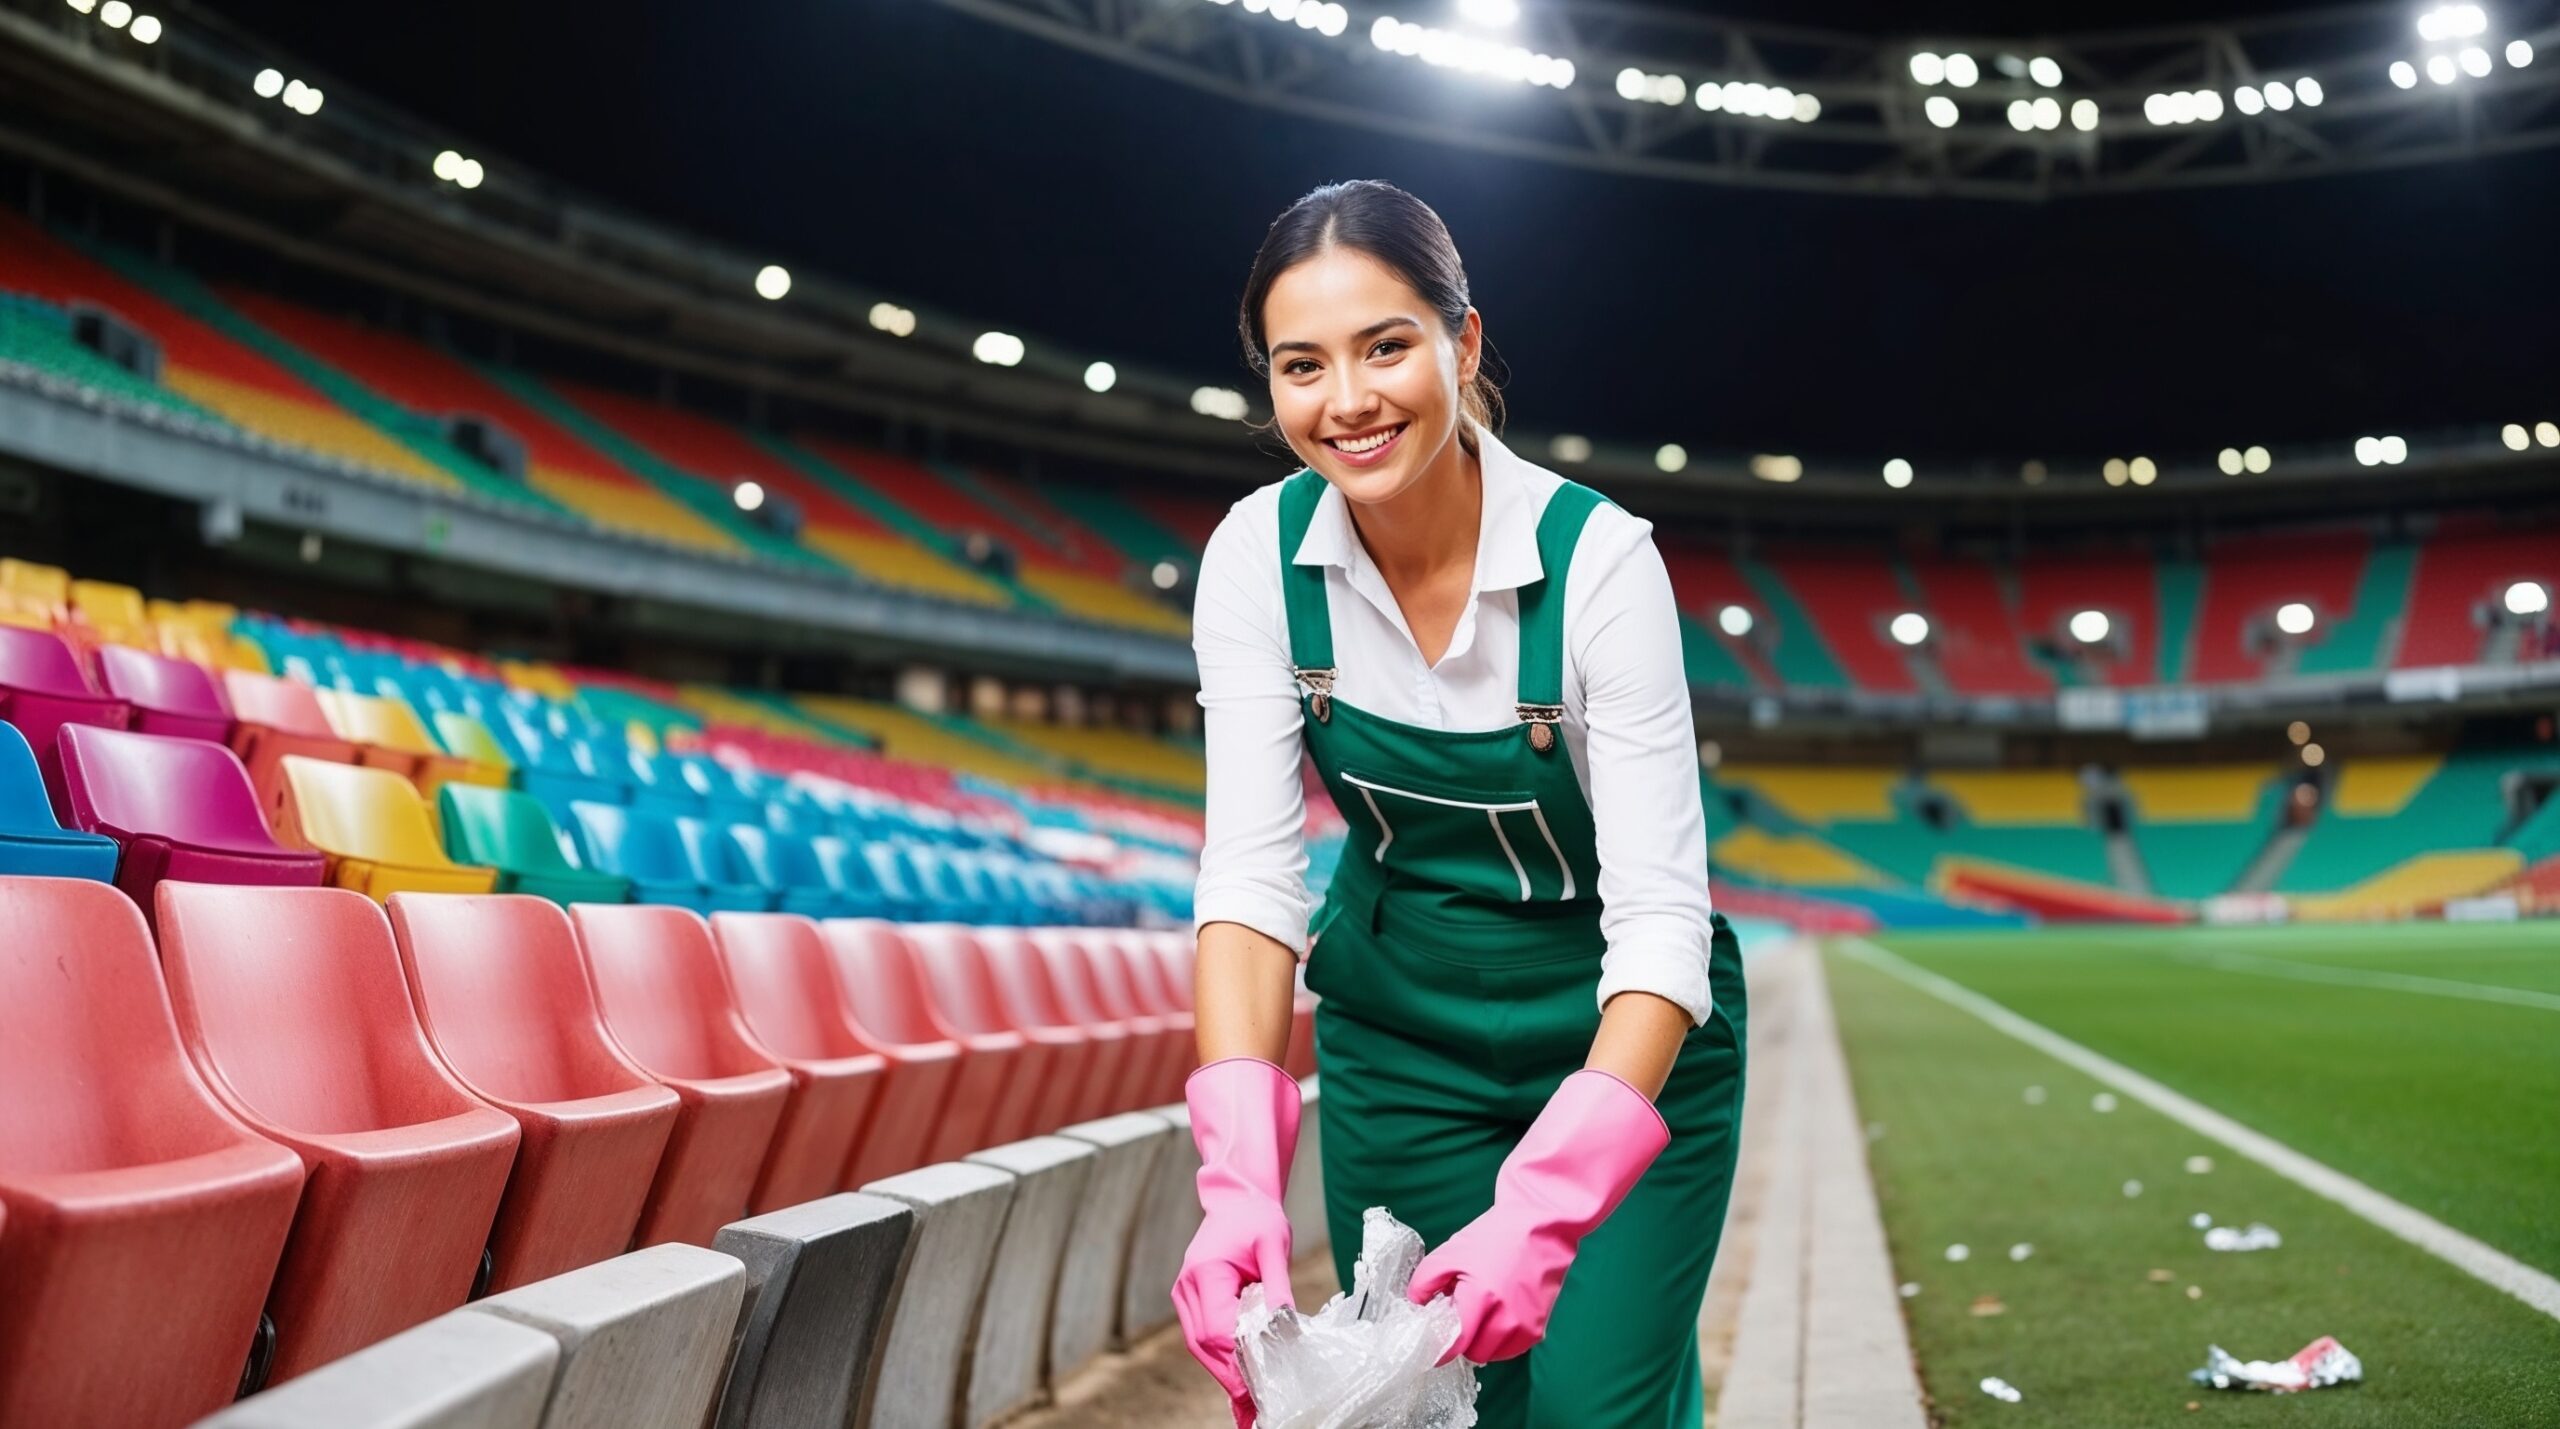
(460, 1371)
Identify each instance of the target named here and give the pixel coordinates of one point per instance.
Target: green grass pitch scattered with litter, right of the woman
(2403, 1056)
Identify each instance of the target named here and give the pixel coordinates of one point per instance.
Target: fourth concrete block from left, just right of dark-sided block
(936, 1305)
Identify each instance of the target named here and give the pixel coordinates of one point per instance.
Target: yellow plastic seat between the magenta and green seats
(375, 831)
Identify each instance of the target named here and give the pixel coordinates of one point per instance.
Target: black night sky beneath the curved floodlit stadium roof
(1069, 198)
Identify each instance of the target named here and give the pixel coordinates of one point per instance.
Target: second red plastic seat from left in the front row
(298, 1015)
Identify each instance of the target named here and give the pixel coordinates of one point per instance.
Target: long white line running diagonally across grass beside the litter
(2474, 1256)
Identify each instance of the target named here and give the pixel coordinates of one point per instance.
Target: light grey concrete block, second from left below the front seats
(644, 1338)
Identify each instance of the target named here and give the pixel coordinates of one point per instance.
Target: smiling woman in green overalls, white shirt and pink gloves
(1532, 1021)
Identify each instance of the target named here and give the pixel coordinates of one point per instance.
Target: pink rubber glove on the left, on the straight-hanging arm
(1245, 1123)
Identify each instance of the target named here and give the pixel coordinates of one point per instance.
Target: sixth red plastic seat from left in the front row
(895, 1008)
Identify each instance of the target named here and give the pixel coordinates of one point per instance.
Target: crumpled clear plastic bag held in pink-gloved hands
(1368, 1359)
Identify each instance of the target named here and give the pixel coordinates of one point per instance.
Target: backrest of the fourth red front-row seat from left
(662, 990)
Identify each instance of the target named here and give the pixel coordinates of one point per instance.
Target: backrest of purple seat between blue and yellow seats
(157, 785)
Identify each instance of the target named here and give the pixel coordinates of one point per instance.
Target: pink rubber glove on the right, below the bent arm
(1578, 1161)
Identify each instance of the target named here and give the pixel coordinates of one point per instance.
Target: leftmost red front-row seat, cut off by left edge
(145, 1223)
